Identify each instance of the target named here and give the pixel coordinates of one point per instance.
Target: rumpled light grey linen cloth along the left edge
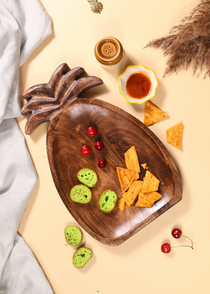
(24, 24)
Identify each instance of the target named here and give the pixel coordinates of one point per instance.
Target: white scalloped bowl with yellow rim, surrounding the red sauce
(122, 80)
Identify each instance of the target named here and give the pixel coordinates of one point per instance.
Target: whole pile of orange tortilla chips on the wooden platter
(135, 192)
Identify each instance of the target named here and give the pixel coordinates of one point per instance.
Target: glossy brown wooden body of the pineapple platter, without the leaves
(118, 131)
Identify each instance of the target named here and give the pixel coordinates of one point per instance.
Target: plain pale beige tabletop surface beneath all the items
(138, 265)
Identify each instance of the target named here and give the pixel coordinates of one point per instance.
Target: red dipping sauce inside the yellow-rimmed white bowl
(138, 85)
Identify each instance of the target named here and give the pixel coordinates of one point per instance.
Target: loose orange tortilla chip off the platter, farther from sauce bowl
(174, 136)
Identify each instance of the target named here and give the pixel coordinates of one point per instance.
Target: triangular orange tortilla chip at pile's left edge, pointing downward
(125, 177)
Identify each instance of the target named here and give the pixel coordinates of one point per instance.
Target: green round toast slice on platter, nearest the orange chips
(107, 201)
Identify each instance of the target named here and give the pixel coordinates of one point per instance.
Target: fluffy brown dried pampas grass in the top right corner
(189, 42)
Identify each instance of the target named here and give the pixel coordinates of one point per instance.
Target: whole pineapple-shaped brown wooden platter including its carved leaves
(69, 117)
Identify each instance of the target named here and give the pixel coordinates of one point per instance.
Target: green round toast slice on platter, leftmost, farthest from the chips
(81, 194)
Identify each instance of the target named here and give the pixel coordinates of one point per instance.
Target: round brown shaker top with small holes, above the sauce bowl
(108, 51)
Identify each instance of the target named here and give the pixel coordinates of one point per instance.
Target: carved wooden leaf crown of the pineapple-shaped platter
(46, 101)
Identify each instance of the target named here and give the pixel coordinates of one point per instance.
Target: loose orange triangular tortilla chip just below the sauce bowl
(153, 114)
